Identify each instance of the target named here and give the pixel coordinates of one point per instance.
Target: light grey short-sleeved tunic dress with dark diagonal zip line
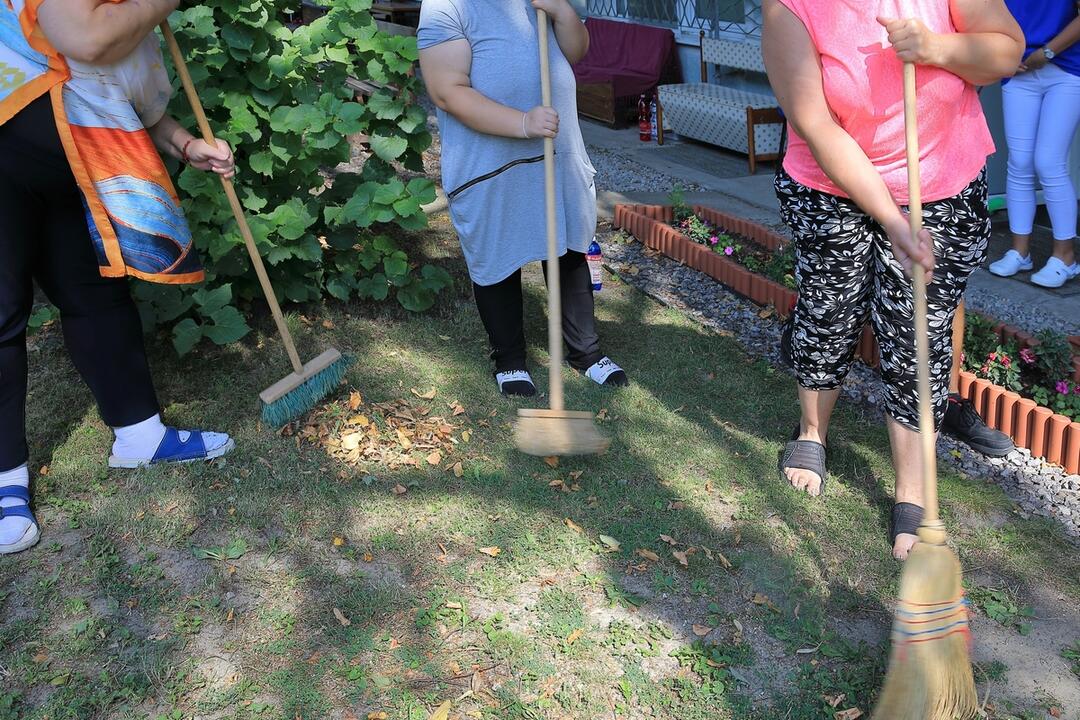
(496, 185)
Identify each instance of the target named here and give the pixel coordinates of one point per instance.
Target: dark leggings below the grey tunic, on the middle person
(502, 311)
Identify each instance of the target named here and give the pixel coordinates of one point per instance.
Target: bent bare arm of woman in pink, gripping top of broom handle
(987, 47)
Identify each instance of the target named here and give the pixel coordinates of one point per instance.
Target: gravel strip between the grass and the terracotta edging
(1037, 488)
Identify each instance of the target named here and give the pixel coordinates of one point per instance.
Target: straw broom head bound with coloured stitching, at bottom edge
(930, 675)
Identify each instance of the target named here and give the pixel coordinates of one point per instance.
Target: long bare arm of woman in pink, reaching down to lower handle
(795, 74)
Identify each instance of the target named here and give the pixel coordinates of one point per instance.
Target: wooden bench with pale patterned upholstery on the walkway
(739, 115)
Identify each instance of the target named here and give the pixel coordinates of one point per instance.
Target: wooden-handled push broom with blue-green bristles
(301, 391)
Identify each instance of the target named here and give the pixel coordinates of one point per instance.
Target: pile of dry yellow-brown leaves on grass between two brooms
(401, 433)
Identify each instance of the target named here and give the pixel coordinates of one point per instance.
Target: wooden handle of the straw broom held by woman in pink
(928, 434)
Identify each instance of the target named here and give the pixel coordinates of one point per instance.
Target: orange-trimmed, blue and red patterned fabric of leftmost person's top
(132, 209)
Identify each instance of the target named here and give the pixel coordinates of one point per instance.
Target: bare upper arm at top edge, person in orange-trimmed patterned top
(101, 33)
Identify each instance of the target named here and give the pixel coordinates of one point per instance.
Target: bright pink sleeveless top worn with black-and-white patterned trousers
(863, 83)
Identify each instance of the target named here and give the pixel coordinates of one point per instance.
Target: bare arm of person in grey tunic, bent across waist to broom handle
(447, 69)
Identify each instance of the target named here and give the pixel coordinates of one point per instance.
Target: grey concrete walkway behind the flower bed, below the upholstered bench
(728, 187)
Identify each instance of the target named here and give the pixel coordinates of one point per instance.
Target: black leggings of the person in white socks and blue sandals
(45, 238)
